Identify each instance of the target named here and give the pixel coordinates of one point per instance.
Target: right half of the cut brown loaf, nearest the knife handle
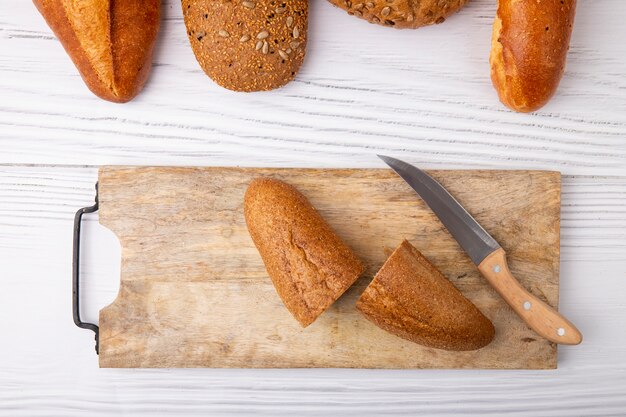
(410, 298)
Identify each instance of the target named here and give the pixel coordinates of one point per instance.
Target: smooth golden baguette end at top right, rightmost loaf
(528, 50)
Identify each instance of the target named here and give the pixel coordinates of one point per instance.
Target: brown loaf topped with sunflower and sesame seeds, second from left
(248, 45)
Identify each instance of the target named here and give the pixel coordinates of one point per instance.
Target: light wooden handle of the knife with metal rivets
(539, 316)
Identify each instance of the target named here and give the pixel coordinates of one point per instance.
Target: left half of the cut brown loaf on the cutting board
(308, 263)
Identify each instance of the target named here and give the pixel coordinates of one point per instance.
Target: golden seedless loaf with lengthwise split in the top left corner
(110, 42)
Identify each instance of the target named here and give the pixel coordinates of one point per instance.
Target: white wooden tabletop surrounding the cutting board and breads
(422, 95)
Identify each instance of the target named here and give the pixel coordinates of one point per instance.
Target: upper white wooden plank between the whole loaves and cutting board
(363, 89)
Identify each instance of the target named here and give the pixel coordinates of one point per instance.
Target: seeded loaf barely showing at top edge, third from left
(401, 14)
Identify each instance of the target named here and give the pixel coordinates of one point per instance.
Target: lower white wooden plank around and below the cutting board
(60, 377)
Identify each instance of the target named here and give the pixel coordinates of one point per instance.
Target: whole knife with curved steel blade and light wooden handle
(487, 255)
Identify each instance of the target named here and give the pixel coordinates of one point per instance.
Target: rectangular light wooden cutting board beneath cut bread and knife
(194, 291)
